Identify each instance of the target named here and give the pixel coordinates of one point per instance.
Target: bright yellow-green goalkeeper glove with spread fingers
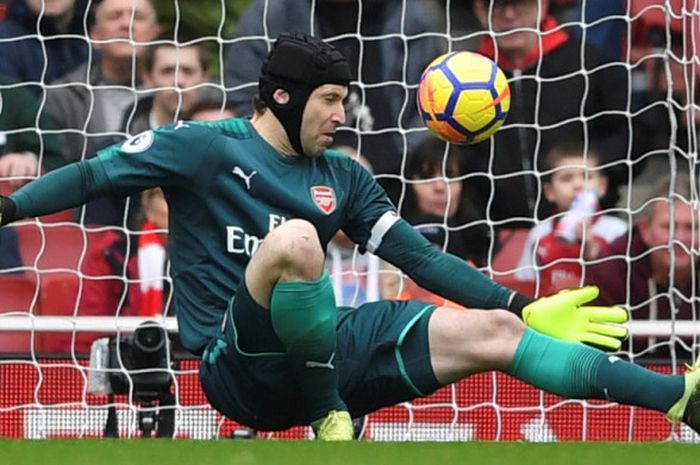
(563, 316)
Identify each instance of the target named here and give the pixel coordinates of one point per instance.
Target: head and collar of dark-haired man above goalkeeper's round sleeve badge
(171, 71)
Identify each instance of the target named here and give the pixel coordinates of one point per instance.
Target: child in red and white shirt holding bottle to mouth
(555, 247)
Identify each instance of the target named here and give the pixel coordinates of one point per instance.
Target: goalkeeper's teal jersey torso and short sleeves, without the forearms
(226, 189)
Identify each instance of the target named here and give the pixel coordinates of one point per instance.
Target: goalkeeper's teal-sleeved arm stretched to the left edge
(172, 155)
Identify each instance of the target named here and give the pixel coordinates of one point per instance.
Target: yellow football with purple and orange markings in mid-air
(463, 97)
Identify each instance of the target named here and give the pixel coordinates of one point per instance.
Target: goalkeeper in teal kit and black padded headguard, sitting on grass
(276, 352)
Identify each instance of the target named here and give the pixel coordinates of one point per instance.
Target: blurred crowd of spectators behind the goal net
(590, 180)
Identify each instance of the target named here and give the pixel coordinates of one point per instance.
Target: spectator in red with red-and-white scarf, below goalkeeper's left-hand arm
(125, 273)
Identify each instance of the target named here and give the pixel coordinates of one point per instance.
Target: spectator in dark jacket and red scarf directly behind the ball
(558, 85)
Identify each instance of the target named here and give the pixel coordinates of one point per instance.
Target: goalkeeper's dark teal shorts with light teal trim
(382, 359)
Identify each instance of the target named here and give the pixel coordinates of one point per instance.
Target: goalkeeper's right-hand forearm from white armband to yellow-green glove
(563, 315)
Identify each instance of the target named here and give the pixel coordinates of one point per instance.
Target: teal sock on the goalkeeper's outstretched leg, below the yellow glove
(577, 371)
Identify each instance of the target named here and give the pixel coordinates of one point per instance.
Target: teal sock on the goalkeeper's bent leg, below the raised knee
(304, 317)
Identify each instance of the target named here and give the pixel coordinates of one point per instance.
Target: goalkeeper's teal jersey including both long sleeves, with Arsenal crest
(226, 189)
